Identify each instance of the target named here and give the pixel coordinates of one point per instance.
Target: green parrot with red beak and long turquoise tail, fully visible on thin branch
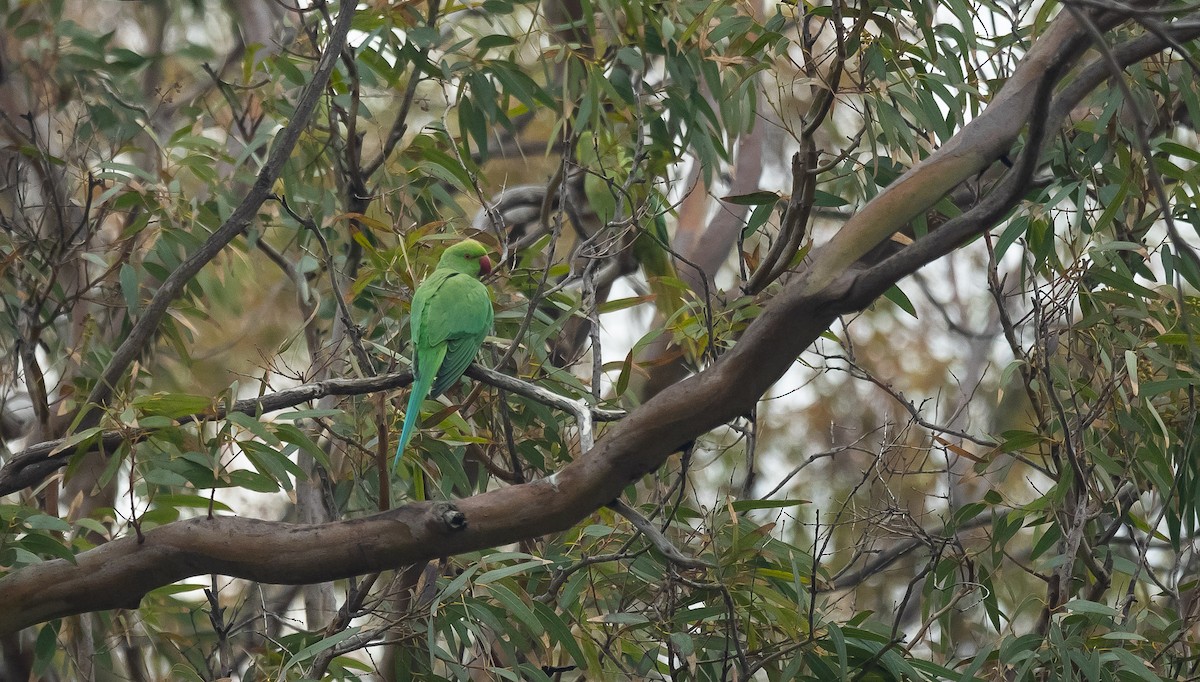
(452, 315)
